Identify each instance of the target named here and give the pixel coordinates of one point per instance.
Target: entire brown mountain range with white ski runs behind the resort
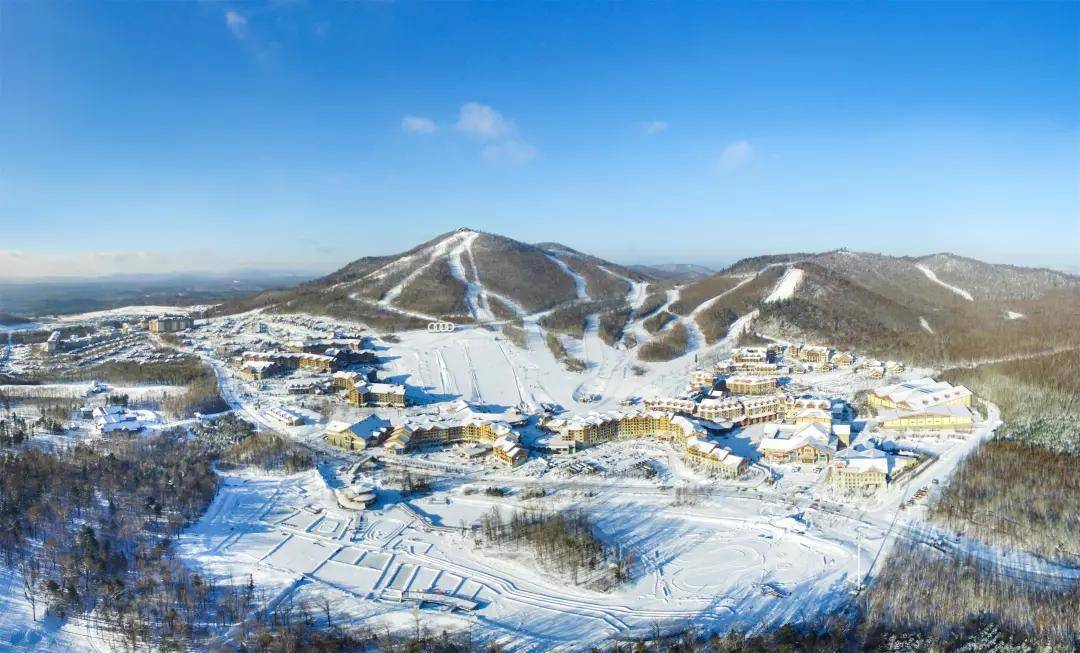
(930, 308)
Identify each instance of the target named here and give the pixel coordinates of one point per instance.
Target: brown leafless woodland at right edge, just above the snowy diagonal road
(1016, 495)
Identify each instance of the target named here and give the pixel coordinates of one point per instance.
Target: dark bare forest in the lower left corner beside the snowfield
(90, 532)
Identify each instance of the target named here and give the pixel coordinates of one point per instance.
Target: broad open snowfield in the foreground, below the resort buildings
(703, 565)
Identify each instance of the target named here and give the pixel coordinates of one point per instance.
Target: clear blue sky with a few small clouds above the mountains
(182, 137)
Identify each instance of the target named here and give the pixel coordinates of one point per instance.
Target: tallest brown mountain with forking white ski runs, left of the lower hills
(465, 276)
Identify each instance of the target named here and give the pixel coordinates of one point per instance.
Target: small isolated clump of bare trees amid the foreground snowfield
(565, 542)
